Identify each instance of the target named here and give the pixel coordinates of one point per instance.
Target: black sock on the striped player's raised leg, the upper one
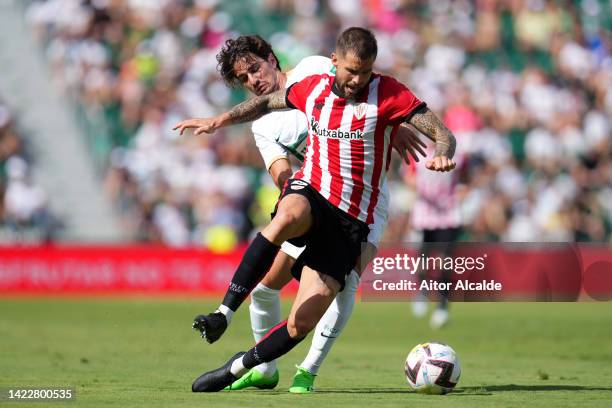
(255, 263)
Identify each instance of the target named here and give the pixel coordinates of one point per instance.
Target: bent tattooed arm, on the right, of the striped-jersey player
(432, 127)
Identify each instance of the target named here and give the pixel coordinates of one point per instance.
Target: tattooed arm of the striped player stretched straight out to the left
(246, 111)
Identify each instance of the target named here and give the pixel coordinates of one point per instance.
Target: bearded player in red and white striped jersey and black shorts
(331, 200)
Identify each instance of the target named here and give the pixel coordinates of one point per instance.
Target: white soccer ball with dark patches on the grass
(432, 368)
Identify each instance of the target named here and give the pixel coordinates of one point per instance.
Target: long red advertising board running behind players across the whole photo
(477, 271)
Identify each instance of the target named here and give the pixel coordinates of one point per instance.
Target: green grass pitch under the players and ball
(143, 353)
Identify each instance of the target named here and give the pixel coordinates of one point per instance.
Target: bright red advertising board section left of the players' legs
(115, 270)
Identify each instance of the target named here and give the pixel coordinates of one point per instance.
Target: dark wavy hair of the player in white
(239, 48)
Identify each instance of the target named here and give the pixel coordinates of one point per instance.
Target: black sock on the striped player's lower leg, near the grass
(276, 343)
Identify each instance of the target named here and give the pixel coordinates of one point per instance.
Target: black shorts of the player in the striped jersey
(333, 242)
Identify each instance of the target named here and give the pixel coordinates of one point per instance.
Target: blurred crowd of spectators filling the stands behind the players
(525, 85)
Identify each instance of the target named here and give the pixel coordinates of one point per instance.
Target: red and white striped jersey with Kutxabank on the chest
(348, 147)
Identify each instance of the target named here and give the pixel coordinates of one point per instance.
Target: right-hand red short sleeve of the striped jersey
(398, 103)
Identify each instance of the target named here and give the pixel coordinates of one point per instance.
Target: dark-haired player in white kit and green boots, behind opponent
(249, 61)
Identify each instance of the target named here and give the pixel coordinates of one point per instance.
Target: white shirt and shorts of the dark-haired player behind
(283, 133)
